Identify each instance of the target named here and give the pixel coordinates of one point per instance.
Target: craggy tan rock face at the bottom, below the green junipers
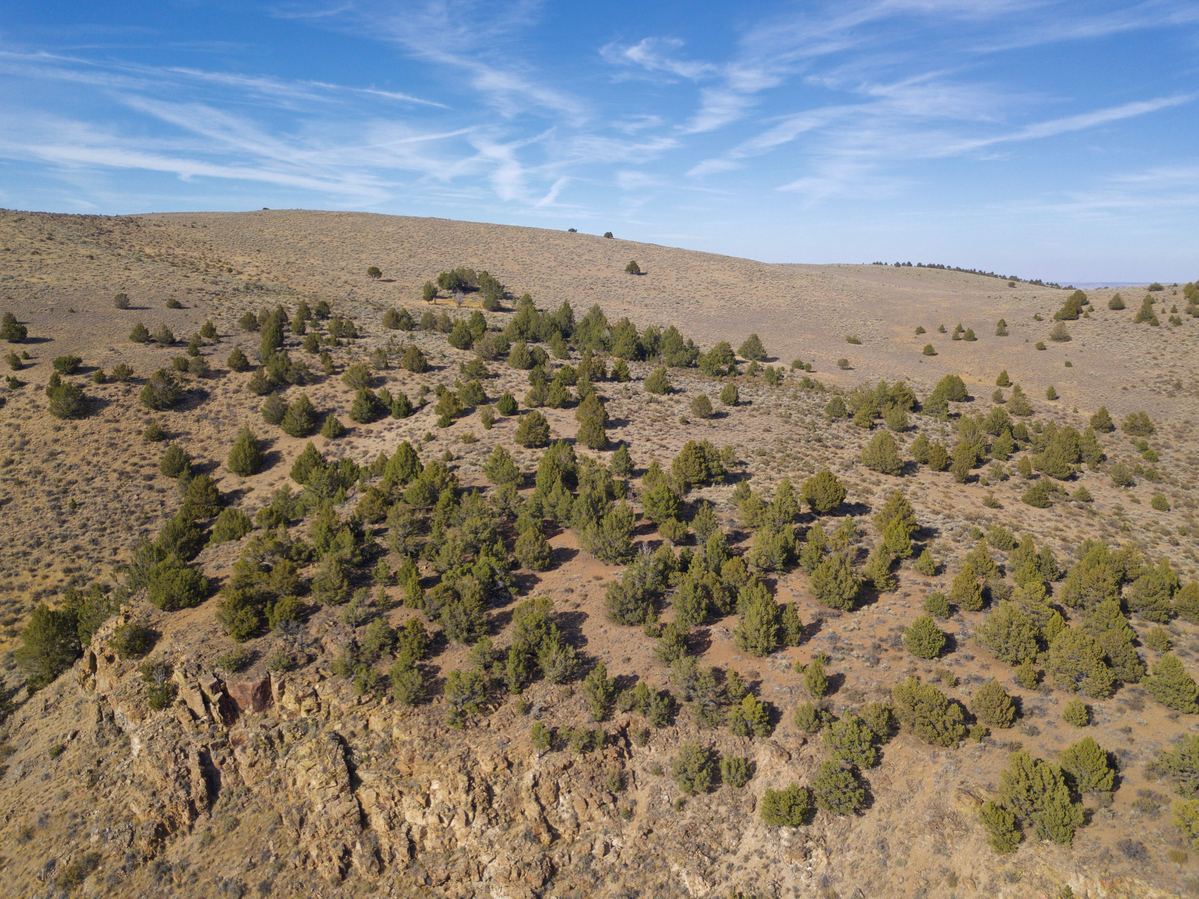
(296, 786)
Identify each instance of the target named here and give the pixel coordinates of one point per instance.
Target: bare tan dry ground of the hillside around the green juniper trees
(77, 496)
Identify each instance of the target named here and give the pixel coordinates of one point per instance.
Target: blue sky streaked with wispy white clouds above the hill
(1045, 138)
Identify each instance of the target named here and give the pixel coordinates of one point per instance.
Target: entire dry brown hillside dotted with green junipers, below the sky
(321, 663)
